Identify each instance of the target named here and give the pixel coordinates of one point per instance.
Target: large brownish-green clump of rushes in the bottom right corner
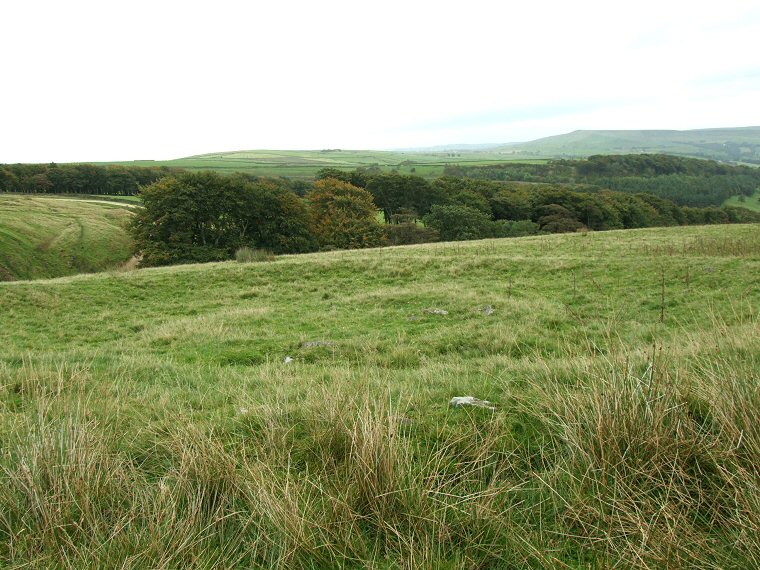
(657, 472)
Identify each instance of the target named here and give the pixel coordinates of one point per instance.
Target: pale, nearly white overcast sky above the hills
(116, 80)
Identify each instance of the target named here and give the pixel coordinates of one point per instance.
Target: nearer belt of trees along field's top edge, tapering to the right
(206, 216)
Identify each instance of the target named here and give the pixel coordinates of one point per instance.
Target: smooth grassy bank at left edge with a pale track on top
(45, 236)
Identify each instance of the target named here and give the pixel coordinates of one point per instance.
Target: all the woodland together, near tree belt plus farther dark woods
(207, 216)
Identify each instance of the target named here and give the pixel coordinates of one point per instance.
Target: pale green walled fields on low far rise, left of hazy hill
(305, 163)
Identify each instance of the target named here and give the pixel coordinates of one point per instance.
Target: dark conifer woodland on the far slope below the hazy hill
(685, 181)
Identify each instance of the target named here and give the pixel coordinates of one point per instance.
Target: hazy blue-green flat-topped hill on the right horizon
(732, 144)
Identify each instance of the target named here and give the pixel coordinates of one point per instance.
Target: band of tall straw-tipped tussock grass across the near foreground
(633, 470)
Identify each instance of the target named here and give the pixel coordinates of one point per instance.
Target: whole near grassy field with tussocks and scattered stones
(148, 419)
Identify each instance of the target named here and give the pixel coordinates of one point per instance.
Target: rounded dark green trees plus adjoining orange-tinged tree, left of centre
(206, 216)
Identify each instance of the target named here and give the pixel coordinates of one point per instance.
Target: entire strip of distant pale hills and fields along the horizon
(731, 144)
